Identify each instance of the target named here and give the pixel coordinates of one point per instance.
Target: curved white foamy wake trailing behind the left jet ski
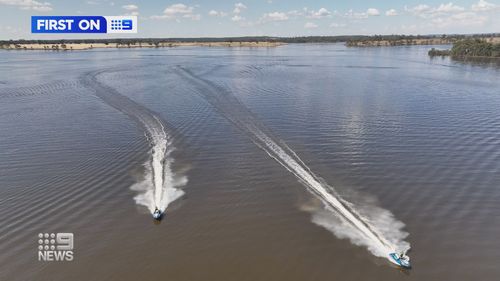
(160, 186)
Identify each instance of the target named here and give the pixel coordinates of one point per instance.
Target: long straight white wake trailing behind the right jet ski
(238, 114)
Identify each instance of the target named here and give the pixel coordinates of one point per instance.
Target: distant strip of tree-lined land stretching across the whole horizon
(262, 41)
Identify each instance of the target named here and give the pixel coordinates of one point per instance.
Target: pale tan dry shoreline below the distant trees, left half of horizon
(58, 46)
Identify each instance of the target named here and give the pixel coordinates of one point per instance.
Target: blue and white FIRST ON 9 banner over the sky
(84, 24)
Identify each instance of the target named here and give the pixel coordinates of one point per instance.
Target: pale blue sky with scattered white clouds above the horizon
(224, 18)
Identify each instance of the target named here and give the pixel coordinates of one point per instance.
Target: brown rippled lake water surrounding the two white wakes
(405, 138)
